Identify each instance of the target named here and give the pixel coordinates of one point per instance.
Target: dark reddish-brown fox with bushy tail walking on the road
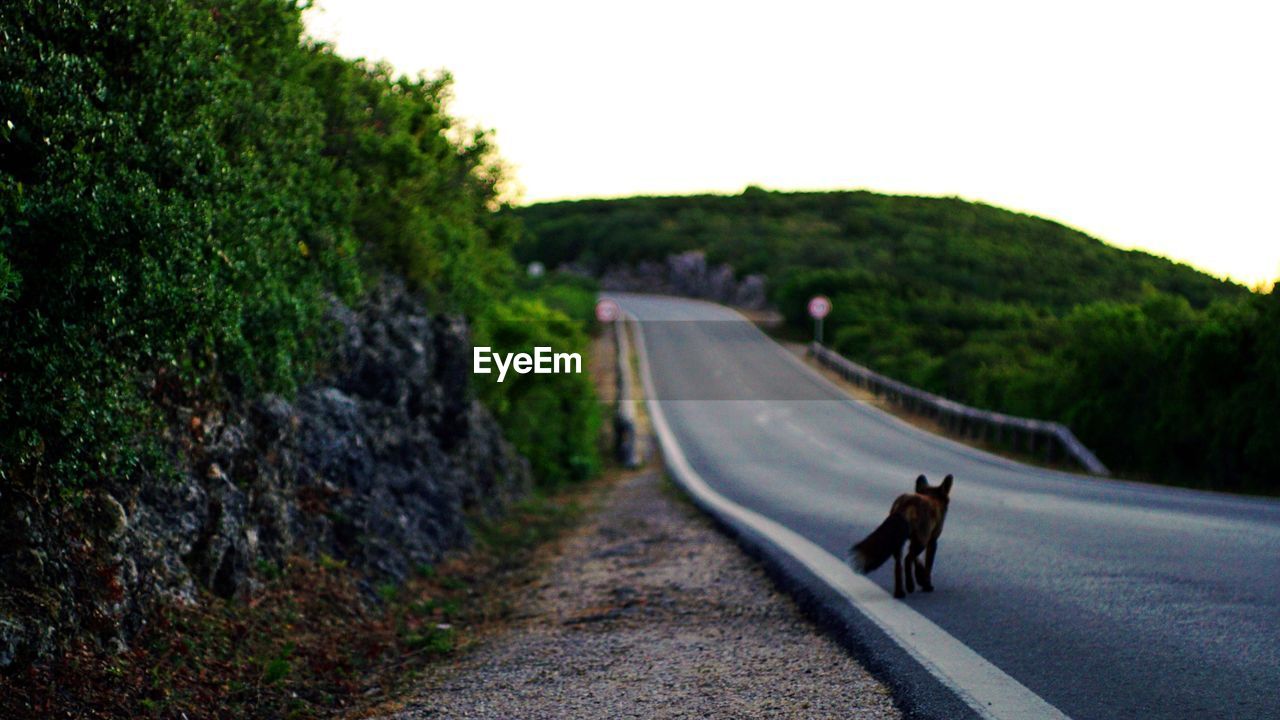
(917, 518)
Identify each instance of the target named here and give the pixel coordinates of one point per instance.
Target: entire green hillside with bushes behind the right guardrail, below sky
(1168, 373)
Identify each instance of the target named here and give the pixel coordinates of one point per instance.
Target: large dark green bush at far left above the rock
(167, 213)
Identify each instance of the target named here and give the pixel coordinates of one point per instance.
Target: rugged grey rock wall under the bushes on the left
(377, 467)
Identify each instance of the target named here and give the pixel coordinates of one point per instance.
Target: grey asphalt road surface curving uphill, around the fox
(1108, 599)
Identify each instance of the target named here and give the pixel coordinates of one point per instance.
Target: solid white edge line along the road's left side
(986, 689)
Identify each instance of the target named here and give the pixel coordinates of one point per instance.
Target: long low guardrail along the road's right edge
(1022, 434)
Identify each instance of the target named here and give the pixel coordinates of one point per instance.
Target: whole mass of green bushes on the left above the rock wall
(185, 185)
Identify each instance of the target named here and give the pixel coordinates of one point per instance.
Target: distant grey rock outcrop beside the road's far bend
(689, 275)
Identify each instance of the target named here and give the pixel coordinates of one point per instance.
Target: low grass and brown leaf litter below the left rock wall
(309, 642)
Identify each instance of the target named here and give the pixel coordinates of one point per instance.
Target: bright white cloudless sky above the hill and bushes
(1153, 126)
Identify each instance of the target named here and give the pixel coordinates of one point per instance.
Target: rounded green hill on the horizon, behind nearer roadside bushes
(927, 244)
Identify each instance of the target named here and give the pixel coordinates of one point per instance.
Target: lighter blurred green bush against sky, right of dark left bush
(424, 188)
